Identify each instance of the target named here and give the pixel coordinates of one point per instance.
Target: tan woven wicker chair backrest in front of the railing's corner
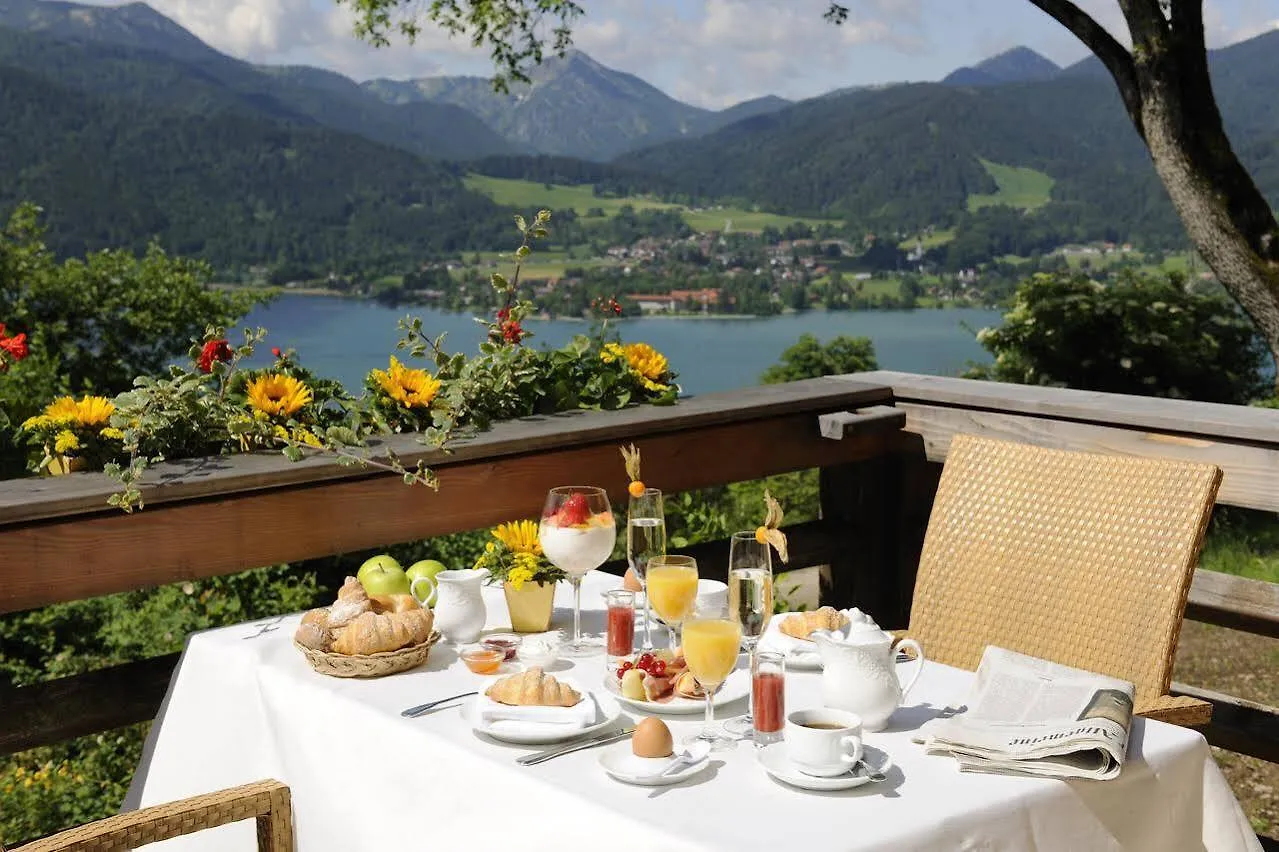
(1079, 558)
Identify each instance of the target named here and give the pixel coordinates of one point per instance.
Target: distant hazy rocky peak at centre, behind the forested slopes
(575, 107)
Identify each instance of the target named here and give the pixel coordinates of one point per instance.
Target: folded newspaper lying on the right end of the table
(1038, 718)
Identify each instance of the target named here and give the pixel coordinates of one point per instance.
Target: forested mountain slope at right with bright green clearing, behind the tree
(907, 157)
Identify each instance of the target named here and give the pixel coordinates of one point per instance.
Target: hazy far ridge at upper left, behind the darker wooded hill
(136, 53)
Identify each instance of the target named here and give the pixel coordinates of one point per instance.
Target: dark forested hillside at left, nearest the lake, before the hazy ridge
(232, 189)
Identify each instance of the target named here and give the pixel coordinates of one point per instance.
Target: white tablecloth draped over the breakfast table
(246, 707)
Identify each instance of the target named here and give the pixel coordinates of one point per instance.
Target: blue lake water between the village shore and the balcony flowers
(346, 338)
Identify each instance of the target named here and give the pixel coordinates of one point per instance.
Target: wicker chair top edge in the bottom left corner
(265, 801)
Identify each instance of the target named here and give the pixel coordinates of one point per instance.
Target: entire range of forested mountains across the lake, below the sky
(127, 127)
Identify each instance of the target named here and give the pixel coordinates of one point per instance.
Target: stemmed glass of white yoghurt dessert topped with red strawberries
(577, 534)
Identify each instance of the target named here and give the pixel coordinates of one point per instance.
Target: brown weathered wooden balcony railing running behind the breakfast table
(878, 479)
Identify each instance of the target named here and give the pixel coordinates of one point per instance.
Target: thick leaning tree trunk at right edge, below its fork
(1226, 217)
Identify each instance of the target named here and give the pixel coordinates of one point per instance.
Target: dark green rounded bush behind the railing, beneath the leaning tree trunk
(1144, 335)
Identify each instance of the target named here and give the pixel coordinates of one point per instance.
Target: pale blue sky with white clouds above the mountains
(712, 53)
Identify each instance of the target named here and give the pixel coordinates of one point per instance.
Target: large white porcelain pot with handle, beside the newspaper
(859, 671)
